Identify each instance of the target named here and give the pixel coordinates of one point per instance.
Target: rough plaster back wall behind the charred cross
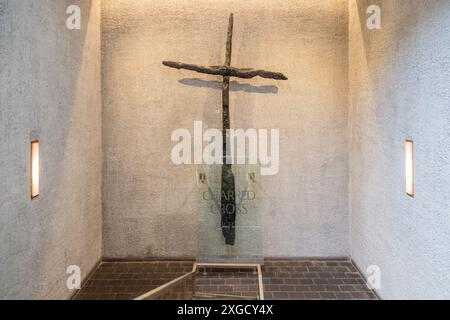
(149, 206)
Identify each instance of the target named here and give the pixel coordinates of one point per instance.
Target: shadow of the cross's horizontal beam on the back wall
(234, 86)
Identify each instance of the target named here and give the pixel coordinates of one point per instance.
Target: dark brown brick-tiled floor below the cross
(289, 279)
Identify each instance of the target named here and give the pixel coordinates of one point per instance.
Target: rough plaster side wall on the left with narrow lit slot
(49, 90)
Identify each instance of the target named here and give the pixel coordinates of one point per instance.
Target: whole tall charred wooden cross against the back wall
(228, 193)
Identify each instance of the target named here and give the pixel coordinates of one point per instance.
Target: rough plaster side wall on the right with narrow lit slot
(399, 80)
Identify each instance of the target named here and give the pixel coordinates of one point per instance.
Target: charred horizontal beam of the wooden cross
(226, 71)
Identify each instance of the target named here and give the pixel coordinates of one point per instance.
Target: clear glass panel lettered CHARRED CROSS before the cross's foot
(236, 238)
